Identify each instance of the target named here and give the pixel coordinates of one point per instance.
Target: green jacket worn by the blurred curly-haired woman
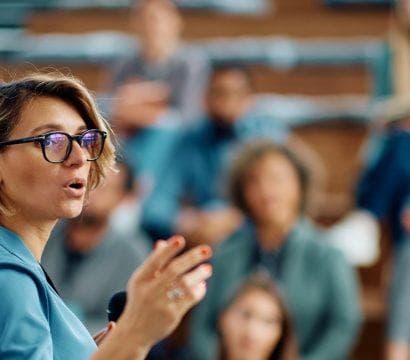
(318, 285)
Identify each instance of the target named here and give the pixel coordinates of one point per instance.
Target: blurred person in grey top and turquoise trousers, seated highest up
(157, 89)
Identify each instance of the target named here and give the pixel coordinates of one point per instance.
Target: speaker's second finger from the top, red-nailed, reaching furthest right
(186, 262)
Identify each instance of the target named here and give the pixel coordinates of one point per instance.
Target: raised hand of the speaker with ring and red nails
(164, 288)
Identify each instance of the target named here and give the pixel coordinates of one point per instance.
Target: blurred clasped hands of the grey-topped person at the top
(139, 103)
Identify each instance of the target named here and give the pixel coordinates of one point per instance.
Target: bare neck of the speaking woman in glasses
(34, 234)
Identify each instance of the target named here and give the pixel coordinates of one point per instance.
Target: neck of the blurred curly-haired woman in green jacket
(272, 235)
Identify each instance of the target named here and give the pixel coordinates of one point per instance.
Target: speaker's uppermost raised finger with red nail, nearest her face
(163, 253)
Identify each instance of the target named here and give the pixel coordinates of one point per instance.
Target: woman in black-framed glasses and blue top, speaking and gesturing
(54, 149)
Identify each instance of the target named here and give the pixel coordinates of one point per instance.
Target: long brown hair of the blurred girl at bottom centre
(286, 348)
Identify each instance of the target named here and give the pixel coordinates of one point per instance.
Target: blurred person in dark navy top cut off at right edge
(385, 183)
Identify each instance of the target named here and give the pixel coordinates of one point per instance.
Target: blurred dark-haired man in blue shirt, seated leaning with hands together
(189, 198)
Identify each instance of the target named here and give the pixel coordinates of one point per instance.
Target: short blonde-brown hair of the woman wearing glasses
(15, 96)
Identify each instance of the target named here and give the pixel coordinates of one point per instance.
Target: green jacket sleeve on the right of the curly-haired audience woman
(343, 311)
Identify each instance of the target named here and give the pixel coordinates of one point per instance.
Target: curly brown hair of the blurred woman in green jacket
(248, 155)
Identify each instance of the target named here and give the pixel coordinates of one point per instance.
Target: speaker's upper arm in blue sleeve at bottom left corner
(24, 331)
